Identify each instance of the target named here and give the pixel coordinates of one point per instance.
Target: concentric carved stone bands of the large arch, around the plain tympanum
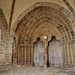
(45, 12)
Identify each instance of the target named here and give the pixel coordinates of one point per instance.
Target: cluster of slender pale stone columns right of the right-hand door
(68, 54)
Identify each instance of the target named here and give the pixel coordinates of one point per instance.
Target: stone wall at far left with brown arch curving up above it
(5, 48)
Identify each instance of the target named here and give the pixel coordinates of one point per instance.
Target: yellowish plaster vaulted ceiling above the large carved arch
(21, 5)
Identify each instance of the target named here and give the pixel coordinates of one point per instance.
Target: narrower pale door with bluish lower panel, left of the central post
(39, 53)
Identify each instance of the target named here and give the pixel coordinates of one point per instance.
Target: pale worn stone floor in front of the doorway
(38, 71)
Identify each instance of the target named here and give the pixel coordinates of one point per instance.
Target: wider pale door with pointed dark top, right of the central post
(55, 53)
